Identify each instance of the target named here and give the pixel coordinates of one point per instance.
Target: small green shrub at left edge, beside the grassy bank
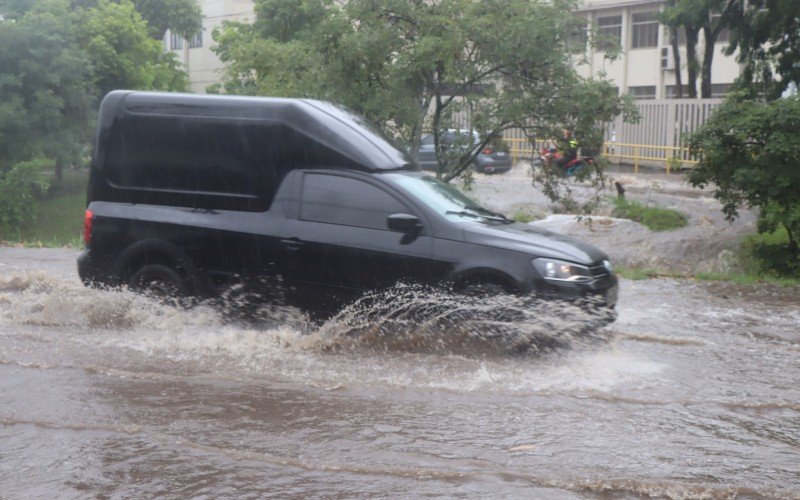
(16, 193)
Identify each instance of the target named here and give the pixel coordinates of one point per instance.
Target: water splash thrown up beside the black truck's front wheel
(413, 318)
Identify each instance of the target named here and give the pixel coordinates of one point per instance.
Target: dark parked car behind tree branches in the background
(493, 158)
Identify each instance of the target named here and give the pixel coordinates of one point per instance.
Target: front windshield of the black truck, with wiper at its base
(442, 197)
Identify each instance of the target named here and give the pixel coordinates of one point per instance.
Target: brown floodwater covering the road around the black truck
(692, 393)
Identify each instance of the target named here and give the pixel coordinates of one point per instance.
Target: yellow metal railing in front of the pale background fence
(670, 157)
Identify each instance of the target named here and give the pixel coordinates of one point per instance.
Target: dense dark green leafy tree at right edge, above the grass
(750, 151)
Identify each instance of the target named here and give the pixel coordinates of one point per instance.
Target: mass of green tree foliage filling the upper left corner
(57, 60)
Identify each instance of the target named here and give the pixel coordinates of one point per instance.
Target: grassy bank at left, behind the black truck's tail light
(59, 216)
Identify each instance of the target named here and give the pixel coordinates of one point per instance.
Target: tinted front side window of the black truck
(350, 202)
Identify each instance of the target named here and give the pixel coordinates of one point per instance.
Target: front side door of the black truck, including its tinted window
(339, 245)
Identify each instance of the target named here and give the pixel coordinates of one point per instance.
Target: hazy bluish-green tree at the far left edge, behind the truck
(45, 87)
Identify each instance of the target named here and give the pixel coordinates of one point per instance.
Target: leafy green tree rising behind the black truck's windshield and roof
(415, 66)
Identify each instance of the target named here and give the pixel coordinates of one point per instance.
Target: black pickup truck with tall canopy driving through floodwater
(300, 200)
